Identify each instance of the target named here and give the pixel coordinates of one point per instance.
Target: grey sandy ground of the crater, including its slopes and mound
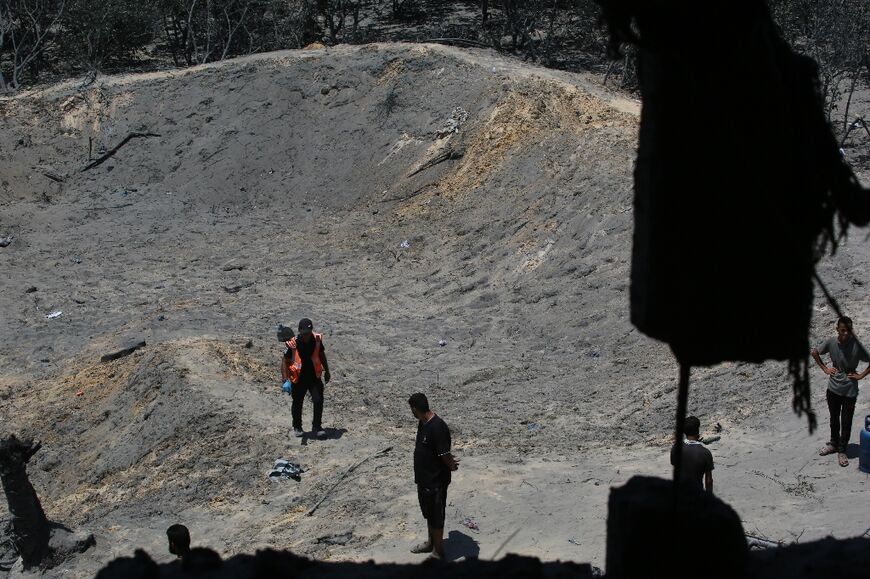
(398, 196)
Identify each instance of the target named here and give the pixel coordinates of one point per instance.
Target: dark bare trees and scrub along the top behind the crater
(44, 39)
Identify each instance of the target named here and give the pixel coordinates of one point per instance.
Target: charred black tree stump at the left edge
(30, 529)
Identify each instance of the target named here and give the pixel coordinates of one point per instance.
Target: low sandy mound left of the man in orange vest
(164, 427)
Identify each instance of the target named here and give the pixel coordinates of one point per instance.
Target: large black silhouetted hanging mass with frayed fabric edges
(739, 183)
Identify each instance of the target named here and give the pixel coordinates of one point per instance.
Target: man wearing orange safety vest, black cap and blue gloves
(301, 368)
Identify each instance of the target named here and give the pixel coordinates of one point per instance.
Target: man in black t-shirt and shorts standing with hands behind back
(433, 464)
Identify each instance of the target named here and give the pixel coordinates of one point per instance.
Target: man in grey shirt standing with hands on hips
(846, 353)
